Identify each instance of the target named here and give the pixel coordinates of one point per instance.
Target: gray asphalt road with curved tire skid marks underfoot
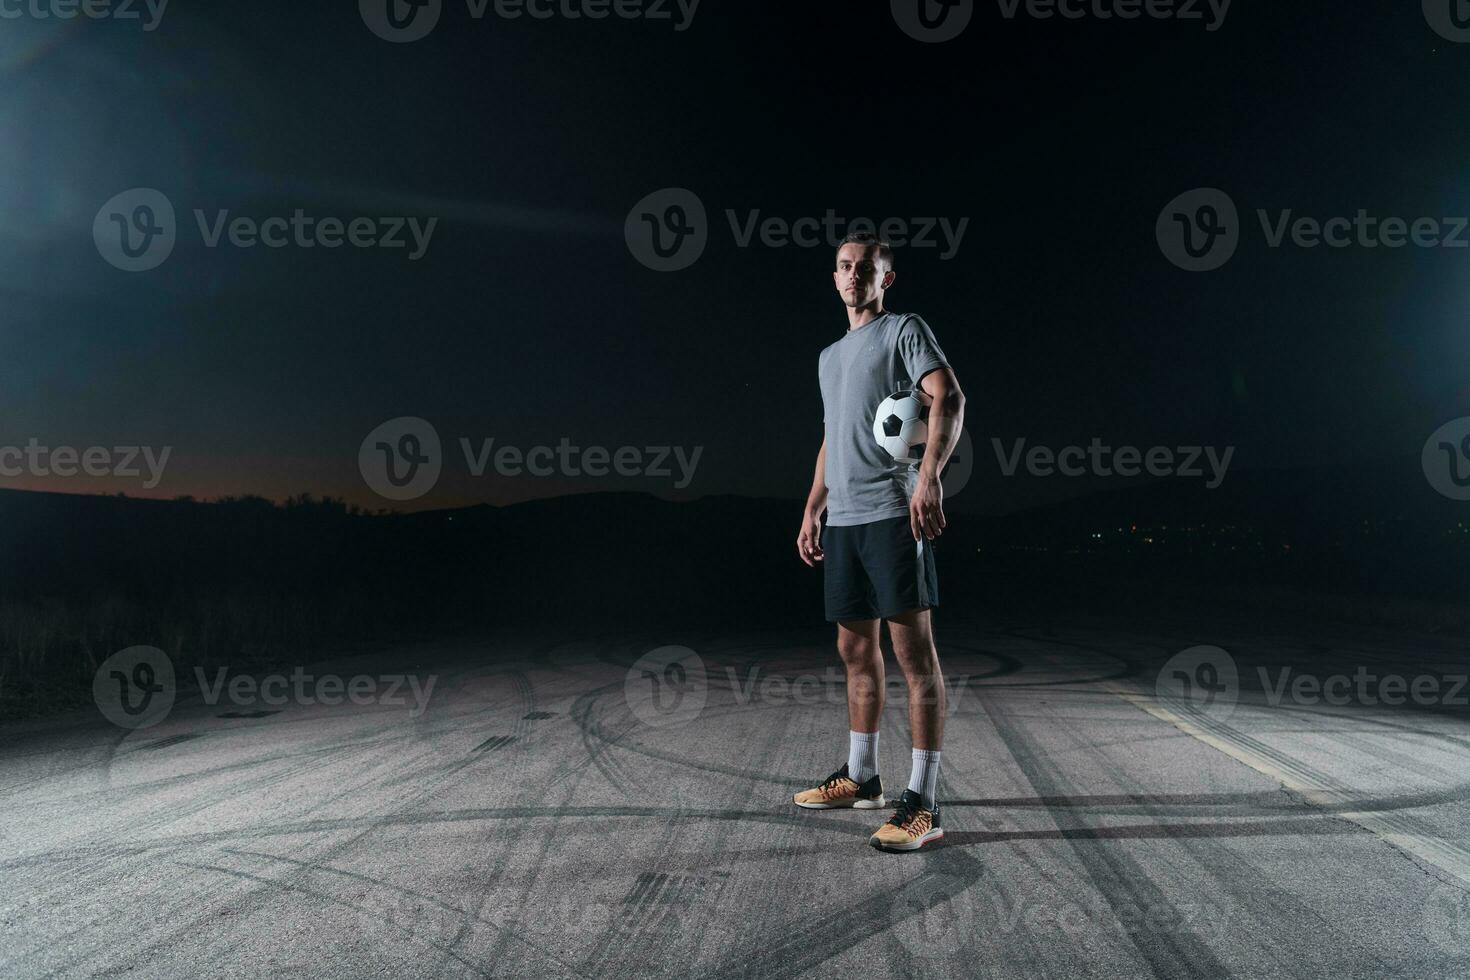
(552, 812)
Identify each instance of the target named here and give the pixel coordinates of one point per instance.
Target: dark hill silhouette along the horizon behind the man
(240, 580)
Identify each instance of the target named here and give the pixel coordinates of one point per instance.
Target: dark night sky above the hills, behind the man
(530, 321)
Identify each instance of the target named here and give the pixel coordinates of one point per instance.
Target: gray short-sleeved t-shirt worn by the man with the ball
(892, 352)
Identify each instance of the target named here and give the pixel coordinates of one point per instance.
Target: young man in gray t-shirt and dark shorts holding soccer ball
(878, 549)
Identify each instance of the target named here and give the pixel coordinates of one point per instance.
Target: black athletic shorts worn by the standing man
(877, 571)
